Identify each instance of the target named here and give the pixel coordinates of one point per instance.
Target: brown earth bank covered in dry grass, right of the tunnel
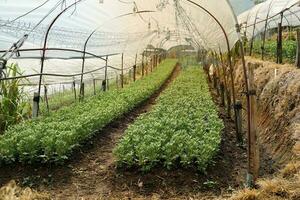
(278, 95)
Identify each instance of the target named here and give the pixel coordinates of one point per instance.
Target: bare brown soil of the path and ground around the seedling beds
(92, 172)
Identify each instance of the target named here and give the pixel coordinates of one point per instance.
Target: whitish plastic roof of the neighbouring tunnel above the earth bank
(269, 11)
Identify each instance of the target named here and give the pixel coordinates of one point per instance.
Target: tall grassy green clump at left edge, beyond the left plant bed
(13, 106)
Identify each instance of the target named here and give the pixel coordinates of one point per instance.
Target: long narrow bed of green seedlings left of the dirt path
(52, 138)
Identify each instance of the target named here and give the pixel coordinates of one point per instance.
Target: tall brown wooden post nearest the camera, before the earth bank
(253, 155)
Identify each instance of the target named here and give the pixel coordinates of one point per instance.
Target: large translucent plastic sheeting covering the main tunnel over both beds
(120, 26)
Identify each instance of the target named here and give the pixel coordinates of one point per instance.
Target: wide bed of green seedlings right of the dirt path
(183, 128)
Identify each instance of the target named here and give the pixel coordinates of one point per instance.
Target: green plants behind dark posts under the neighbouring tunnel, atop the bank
(289, 50)
